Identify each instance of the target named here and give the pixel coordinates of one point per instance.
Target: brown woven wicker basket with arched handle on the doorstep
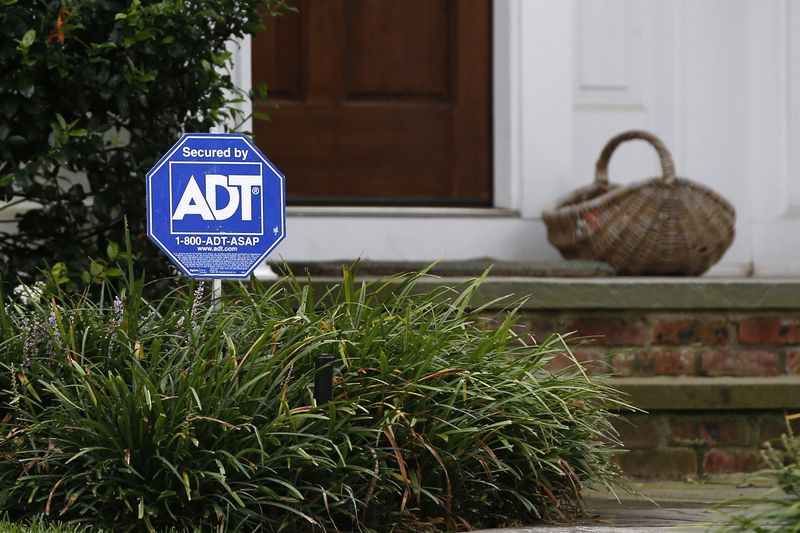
(661, 226)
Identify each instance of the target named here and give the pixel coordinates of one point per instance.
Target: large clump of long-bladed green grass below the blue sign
(137, 415)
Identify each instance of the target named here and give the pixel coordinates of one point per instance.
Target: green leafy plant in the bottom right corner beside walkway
(772, 511)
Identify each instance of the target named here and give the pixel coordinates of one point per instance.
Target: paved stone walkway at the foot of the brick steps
(660, 506)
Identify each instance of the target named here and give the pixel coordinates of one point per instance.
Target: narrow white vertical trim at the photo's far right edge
(775, 136)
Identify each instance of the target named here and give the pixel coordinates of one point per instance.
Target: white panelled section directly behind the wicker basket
(677, 69)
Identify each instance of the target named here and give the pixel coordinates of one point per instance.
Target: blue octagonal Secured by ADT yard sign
(215, 205)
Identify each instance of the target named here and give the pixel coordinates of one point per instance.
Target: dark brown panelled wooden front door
(380, 101)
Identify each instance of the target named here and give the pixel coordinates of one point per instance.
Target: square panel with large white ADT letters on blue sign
(216, 197)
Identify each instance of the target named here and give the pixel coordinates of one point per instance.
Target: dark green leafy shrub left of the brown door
(93, 92)
